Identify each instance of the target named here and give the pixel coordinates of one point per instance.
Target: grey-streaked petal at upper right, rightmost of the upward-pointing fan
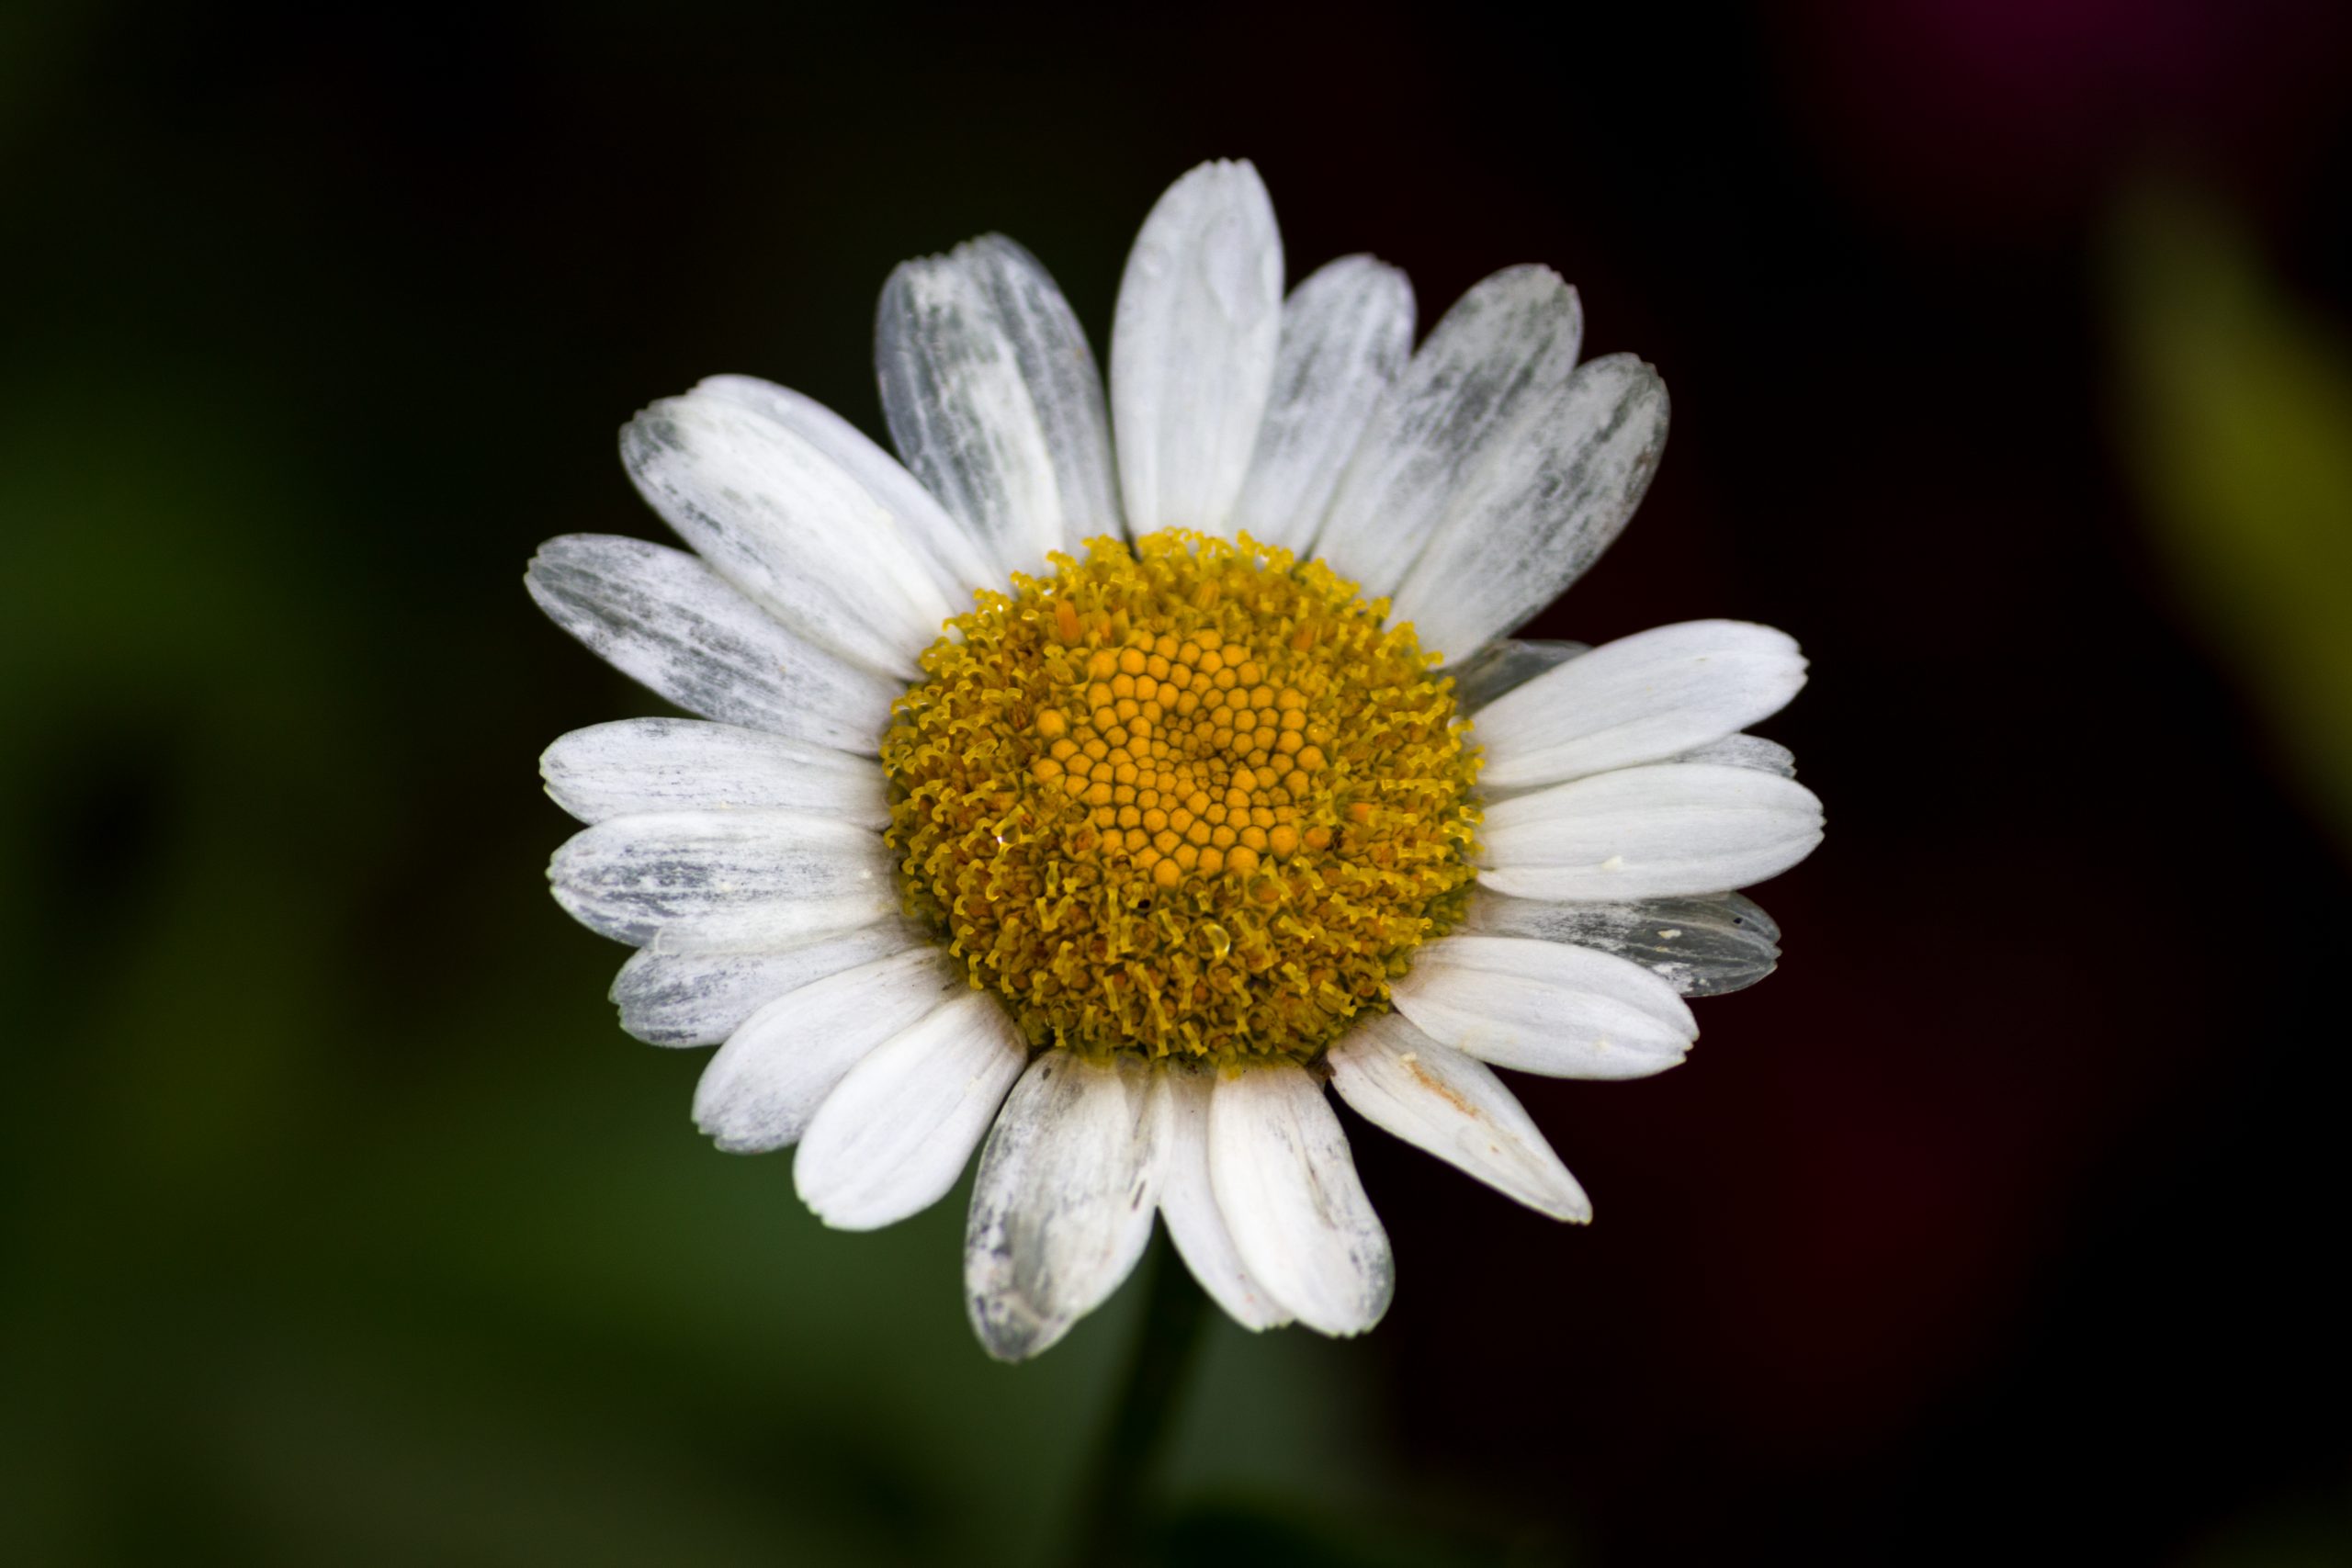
(1553, 492)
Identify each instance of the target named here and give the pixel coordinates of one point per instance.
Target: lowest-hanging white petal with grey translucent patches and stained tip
(1064, 1200)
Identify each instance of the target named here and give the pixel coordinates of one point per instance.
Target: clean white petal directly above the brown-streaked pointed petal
(1542, 1007)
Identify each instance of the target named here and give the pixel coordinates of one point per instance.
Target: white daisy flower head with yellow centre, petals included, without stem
(1109, 808)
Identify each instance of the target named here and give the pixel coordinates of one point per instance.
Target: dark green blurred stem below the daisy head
(1116, 1499)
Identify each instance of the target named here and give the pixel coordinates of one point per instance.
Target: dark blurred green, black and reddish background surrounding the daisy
(2010, 366)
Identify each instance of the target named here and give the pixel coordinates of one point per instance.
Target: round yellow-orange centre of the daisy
(1182, 798)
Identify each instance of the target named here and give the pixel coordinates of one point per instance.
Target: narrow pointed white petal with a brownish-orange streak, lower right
(1452, 1106)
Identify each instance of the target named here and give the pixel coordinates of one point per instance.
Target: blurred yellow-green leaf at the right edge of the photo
(2236, 415)
